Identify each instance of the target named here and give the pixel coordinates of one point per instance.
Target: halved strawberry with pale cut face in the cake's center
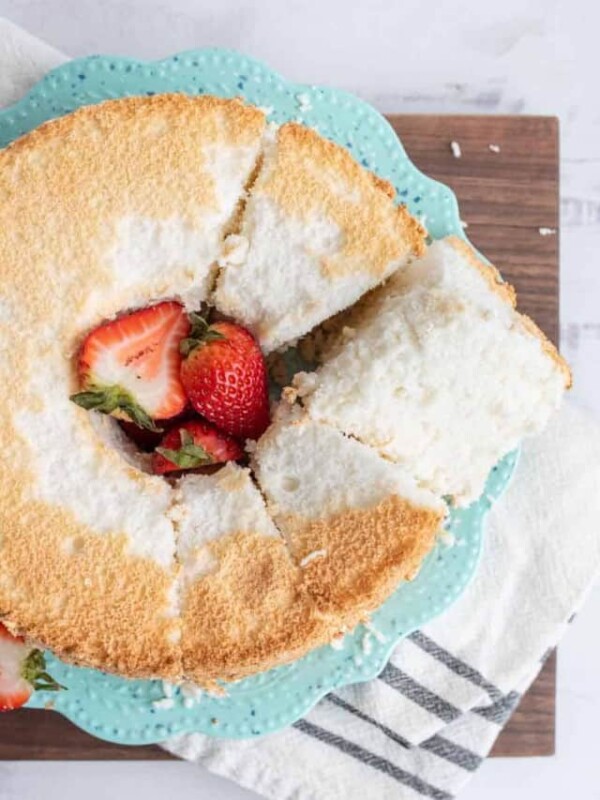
(129, 367)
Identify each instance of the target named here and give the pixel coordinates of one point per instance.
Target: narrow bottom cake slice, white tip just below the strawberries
(243, 603)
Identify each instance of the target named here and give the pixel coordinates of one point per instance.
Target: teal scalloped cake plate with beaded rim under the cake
(126, 711)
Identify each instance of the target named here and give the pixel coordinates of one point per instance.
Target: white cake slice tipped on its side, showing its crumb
(440, 373)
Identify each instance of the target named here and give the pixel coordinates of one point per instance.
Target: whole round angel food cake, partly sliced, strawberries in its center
(155, 521)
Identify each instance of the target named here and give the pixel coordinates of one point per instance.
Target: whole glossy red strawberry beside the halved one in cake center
(225, 377)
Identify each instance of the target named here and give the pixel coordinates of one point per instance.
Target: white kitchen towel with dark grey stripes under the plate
(425, 725)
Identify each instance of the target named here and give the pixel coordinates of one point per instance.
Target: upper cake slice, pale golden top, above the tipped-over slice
(318, 231)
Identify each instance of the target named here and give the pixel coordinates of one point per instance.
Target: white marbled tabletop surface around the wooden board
(520, 56)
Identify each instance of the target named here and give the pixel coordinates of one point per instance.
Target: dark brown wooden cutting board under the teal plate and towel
(505, 198)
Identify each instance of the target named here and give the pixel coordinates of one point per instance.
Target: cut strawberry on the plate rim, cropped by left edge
(22, 671)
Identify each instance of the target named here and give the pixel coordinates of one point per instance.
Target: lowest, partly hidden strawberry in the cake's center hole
(194, 444)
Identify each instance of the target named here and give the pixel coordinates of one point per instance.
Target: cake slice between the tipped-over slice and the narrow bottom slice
(356, 524)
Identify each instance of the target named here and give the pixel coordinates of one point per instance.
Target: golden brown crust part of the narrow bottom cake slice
(251, 612)
